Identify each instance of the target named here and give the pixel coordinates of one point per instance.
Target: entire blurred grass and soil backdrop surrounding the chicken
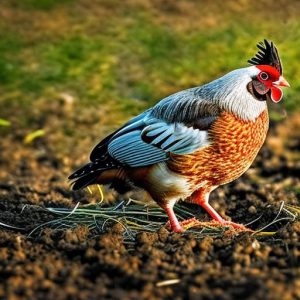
(71, 71)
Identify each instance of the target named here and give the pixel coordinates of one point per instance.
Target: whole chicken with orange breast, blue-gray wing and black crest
(193, 141)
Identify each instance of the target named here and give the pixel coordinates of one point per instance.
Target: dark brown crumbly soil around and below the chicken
(87, 264)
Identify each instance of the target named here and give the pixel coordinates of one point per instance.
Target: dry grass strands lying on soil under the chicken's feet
(134, 217)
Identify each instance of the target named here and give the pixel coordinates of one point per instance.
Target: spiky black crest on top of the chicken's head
(267, 55)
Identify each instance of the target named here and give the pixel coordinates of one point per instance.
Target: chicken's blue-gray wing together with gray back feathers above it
(166, 128)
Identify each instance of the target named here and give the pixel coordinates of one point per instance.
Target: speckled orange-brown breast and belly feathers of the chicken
(235, 144)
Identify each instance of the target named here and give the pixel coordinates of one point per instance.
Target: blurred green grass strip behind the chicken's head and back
(127, 57)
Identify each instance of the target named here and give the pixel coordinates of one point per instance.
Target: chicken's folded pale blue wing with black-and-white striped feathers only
(140, 148)
